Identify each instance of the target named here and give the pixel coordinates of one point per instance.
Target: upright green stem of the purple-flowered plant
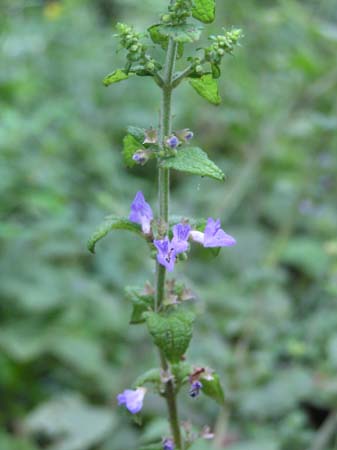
(163, 197)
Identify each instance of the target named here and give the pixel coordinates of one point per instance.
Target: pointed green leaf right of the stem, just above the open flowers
(194, 160)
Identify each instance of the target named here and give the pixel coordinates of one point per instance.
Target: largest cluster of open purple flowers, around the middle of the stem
(168, 249)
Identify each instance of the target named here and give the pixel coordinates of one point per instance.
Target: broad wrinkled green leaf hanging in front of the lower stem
(171, 332)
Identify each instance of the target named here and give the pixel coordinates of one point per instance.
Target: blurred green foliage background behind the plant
(267, 308)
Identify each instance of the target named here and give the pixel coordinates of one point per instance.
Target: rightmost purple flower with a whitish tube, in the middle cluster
(213, 236)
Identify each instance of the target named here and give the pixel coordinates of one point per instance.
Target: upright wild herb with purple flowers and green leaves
(164, 307)
